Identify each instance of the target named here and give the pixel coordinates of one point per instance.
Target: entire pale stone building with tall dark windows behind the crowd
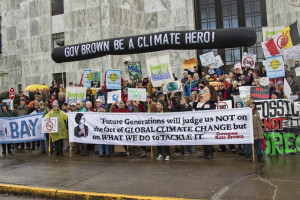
(32, 28)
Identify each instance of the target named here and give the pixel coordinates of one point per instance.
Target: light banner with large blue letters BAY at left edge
(21, 129)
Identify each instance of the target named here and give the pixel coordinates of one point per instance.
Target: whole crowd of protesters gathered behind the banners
(197, 94)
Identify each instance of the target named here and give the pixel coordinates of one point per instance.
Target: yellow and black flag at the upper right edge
(290, 36)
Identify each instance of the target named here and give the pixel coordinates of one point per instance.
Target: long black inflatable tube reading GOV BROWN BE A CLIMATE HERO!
(194, 39)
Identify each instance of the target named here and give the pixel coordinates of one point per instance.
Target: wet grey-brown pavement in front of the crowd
(228, 176)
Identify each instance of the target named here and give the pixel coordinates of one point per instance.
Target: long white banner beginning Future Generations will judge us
(185, 128)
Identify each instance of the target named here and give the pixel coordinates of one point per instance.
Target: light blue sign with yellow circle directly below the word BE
(113, 79)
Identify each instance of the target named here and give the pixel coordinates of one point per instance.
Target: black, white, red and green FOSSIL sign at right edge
(281, 125)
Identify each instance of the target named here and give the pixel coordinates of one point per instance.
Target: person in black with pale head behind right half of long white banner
(206, 101)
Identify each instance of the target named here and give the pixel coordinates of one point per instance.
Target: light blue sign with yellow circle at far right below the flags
(275, 67)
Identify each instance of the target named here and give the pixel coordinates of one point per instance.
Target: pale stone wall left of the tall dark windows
(27, 28)
